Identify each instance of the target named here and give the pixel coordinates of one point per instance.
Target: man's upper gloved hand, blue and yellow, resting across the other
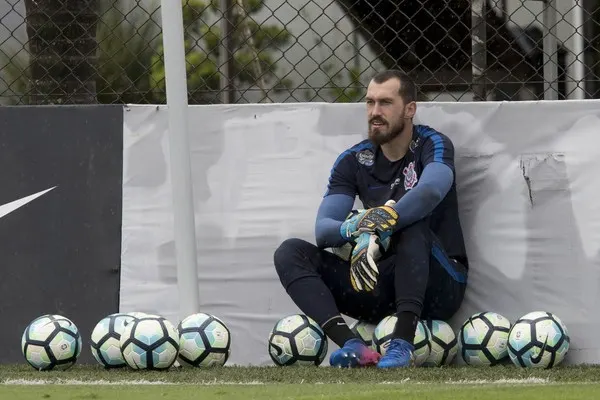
(377, 219)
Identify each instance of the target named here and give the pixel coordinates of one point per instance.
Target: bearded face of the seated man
(385, 111)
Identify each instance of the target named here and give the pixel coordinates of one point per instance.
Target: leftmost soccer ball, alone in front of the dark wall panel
(51, 342)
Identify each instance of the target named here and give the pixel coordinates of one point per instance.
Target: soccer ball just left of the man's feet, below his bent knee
(297, 340)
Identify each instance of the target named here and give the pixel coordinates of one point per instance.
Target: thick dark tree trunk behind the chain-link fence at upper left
(62, 46)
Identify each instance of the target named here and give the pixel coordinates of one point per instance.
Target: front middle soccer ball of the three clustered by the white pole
(149, 343)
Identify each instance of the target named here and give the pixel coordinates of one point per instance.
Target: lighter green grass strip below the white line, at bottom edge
(305, 392)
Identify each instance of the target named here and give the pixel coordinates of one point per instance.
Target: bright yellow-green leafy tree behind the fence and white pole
(253, 44)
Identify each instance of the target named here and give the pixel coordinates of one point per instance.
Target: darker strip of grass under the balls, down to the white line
(307, 374)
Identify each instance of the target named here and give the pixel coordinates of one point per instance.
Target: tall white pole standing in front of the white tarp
(181, 174)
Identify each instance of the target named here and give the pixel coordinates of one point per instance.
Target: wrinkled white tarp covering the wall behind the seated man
(527, 182)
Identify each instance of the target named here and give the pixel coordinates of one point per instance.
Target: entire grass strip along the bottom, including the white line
(500, 382)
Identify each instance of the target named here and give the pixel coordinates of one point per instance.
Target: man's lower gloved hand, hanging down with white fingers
(363, 263)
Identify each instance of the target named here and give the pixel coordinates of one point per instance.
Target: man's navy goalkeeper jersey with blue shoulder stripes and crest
(364, 171)
